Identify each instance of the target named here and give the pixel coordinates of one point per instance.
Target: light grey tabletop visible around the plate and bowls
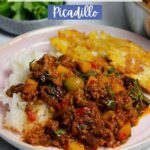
(113, 15)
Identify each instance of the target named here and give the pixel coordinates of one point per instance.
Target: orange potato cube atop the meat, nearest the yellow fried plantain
(85, 66)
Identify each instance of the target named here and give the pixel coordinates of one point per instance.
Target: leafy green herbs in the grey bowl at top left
(25, 10)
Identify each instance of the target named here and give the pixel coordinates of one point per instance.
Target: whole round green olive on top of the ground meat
(73, 83)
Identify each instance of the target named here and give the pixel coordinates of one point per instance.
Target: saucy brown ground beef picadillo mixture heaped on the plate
(92, 108)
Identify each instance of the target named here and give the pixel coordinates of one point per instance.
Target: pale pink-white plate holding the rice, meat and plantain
(39, 40)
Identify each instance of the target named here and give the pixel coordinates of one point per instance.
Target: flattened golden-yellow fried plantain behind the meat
(124, 55)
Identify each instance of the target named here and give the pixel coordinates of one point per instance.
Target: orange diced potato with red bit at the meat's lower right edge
(125, 132)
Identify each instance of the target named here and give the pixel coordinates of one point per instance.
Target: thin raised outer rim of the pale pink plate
(21, 37)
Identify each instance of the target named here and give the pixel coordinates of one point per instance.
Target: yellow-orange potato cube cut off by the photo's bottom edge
(74, 145)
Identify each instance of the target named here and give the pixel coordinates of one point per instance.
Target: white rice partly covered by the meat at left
(16, 117)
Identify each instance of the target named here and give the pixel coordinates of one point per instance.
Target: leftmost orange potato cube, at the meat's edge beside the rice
(30, 86)
